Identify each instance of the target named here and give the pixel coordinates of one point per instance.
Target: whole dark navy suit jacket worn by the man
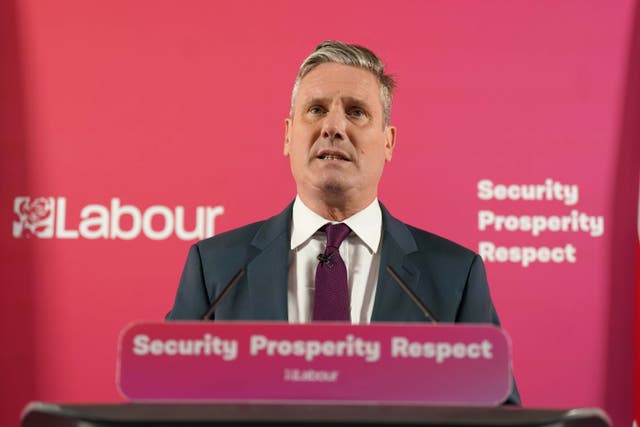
(449, 278)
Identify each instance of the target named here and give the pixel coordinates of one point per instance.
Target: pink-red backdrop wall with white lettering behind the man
(166, 104)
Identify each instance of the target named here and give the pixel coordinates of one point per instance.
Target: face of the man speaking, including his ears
(336, 141)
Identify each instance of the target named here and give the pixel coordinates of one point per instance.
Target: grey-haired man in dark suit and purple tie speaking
(338, 137)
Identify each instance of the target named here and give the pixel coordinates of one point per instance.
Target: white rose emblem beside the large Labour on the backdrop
(34, 217)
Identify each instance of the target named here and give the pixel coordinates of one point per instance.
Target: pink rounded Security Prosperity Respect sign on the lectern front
(408, 363)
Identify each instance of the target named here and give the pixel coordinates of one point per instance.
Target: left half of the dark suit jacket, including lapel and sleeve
(261, 250)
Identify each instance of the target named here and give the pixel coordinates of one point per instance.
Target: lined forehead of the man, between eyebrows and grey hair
(331, 80)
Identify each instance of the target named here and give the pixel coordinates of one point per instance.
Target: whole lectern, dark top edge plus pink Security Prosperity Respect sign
(275, 374)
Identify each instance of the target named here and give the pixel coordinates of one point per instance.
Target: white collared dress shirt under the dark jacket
(360, 252)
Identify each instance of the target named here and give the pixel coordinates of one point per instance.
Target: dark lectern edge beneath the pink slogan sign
(248, 414)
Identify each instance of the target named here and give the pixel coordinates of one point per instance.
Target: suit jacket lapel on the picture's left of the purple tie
(267, 272)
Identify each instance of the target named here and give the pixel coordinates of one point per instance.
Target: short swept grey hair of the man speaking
(331, 51)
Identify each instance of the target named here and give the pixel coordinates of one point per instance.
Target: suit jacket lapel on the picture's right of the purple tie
(391, 303)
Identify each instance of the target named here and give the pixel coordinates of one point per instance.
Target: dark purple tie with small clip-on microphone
(331, 296)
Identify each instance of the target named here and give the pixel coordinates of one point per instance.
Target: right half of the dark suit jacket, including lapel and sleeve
(449, 278)
